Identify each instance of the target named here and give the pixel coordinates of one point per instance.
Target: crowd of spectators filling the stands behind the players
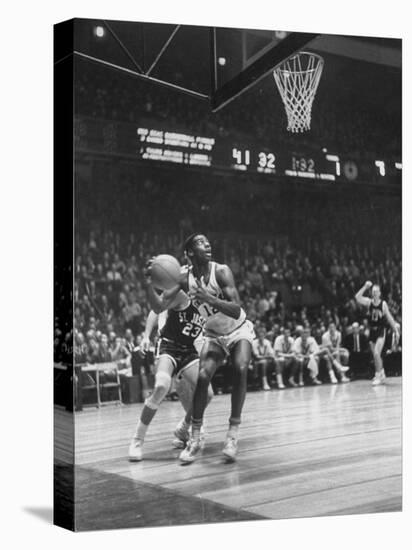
(298, 258)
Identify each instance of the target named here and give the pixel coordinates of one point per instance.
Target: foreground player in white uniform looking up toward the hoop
(227, 332)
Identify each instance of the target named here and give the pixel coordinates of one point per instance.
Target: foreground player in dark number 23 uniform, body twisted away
(179, 326)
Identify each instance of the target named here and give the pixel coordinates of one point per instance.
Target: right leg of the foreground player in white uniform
(241, 355)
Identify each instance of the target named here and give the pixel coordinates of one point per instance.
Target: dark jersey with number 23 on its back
(182, 327)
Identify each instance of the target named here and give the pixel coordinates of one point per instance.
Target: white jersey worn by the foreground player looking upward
(217, 323)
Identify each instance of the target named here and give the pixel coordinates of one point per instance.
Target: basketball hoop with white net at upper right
(297, 80)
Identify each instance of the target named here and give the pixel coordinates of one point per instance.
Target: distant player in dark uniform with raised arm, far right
(379, 317)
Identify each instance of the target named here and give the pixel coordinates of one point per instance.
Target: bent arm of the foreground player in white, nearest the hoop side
(231, 305)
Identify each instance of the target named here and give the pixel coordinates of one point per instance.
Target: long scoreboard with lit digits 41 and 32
(150, 144)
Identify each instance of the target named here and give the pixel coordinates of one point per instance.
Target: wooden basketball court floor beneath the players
(309, 451)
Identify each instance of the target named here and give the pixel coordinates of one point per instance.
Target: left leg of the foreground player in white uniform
(211, 356)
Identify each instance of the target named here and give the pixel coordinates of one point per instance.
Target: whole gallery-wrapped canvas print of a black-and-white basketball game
(228, 299)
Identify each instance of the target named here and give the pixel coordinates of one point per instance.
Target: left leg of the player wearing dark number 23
(164, 371)
